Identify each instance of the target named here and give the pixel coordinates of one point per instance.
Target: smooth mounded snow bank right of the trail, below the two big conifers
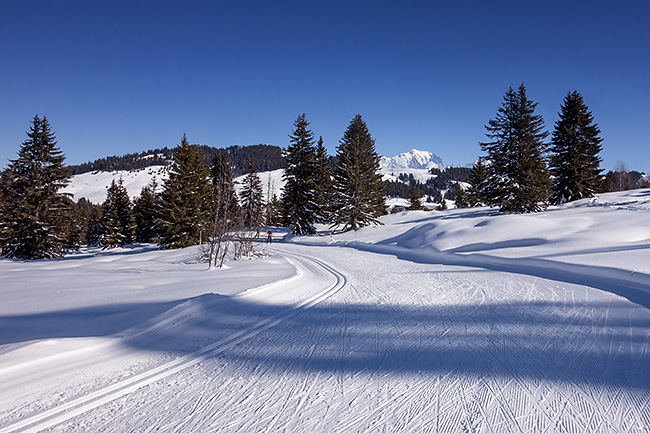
(602, 242)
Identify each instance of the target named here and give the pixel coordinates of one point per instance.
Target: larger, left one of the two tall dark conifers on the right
(518, 176)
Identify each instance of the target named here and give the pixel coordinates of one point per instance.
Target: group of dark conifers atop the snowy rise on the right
(522, 172)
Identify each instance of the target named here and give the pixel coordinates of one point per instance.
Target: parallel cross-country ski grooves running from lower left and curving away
(52, 417)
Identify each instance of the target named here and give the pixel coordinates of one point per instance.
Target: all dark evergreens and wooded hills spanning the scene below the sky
(524, 168)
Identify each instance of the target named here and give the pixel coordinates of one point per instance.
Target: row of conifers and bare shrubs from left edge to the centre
(197, 204)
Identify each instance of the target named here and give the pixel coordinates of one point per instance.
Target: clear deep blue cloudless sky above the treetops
(125, 76)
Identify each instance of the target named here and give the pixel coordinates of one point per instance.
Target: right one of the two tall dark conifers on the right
(574, 162)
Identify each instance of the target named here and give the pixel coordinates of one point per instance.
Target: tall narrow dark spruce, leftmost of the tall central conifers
(299, 192)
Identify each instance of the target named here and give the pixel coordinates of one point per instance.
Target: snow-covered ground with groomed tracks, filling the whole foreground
(457, 321)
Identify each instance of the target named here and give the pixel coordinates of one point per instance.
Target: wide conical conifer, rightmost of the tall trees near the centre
(359, 190)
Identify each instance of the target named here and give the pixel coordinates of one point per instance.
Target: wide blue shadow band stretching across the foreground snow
(600, 343)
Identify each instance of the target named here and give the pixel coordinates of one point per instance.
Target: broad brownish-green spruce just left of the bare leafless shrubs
(185, 199)
